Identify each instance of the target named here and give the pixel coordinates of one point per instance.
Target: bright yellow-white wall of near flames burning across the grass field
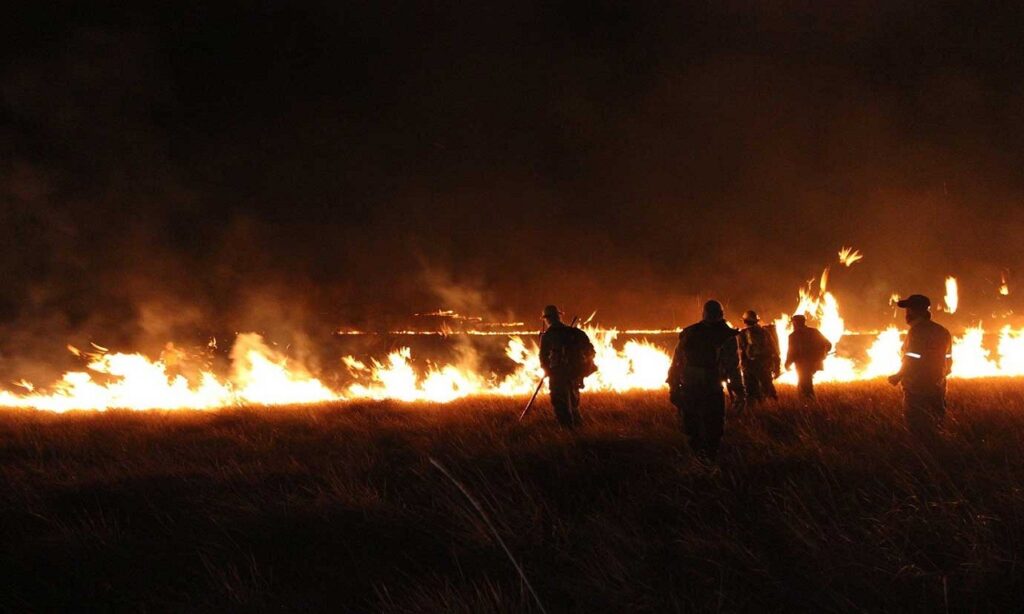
(261, 375)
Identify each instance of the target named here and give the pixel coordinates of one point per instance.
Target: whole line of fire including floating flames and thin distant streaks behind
(628, 360)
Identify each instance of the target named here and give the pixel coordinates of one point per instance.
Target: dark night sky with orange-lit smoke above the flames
(284, 166)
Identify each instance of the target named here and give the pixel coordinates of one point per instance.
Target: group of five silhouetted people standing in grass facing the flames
(713, 361)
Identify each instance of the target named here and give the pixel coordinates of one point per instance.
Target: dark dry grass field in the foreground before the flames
(338, 507)
